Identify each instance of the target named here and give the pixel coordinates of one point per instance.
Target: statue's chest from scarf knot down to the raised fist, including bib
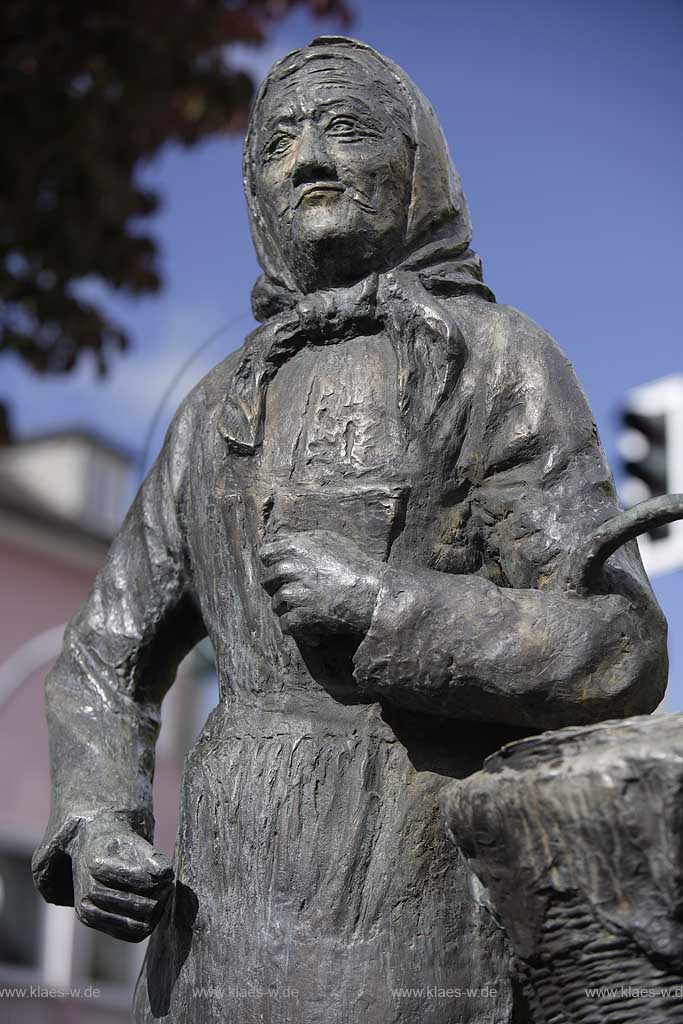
(334, 453)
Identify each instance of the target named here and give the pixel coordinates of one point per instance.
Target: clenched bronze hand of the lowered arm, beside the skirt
(121, 882)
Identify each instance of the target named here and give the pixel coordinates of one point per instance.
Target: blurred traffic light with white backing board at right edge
(652, 449)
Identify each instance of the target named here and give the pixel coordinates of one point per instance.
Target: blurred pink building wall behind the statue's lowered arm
(42, 583)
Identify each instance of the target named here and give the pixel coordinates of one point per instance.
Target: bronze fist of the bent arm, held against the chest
(321, 583)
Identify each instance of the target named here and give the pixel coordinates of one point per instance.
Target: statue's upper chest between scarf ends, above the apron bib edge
(334, 412)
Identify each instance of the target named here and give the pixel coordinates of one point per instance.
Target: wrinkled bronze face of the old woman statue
(334, 175)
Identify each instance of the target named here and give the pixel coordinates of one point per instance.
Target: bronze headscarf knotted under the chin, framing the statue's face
(436, 263)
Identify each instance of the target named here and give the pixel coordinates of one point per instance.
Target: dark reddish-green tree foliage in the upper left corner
(90, 89)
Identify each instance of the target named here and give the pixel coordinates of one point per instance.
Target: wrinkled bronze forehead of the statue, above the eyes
(312, 81)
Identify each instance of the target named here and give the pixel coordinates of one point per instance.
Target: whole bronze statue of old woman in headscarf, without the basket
(374, 510)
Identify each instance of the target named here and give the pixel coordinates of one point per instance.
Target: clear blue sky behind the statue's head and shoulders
(565, 120)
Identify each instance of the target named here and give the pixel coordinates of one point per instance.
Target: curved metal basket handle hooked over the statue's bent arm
(605, 541)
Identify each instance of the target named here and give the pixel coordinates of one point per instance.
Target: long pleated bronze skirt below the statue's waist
(316, 885)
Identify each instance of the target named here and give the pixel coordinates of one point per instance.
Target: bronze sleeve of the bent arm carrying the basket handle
(502, 641)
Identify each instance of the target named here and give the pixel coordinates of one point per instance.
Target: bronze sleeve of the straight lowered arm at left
(120, 655)
